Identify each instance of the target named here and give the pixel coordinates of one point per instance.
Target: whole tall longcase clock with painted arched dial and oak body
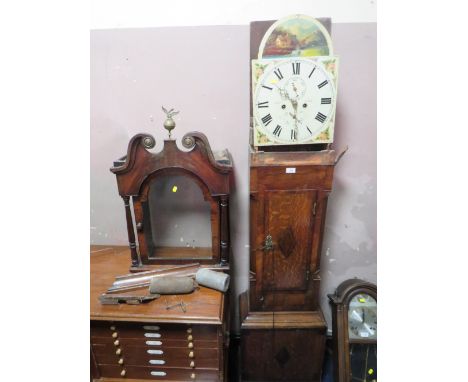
(291, 176)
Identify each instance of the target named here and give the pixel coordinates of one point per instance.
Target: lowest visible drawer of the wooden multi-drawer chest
(159, 374)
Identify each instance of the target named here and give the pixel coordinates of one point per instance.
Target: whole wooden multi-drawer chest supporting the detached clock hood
(149, 342)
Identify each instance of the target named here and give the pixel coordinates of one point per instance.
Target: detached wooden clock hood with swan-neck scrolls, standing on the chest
(139, 168)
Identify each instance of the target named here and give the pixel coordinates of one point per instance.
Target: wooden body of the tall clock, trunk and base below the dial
(283, 328)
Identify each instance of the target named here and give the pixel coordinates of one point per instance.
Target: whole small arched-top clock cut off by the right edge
(354, 312)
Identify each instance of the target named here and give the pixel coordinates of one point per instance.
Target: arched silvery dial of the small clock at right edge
(362, 317)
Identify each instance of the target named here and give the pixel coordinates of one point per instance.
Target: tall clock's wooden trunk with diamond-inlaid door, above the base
(288, 203)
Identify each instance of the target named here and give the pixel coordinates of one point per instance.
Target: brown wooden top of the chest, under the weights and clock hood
(204, 306)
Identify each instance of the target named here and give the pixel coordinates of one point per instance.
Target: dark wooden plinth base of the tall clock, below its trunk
(282, 346)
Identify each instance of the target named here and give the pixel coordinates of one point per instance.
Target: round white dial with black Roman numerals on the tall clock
(294, 101)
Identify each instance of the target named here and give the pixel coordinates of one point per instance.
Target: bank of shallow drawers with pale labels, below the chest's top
(157, 352)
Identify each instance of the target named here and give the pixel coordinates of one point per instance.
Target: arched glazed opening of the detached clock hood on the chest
(180, 219)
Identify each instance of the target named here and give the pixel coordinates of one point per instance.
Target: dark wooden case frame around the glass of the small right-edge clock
(341, 341)
